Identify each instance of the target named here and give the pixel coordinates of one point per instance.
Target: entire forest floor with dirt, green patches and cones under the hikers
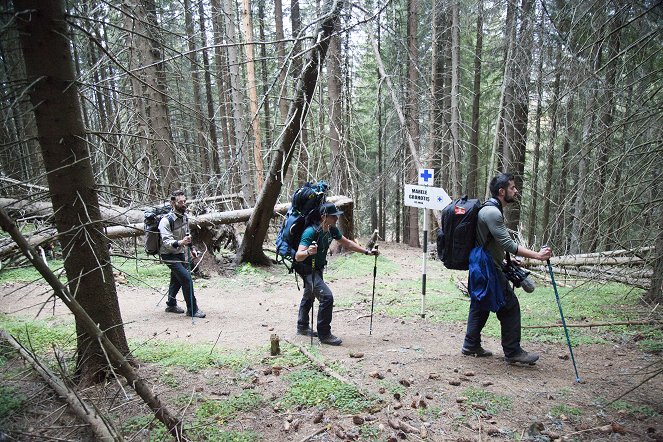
(415, 384)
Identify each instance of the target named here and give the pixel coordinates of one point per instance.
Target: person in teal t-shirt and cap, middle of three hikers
(314, 244)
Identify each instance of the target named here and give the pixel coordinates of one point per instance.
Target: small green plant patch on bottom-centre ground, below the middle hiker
(310, 388)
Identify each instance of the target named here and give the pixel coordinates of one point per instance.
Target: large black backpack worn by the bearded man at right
(457, 234)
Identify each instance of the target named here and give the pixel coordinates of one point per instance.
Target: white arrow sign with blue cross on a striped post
(426, 197)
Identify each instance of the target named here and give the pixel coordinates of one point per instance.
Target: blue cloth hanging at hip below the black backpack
(484, 282)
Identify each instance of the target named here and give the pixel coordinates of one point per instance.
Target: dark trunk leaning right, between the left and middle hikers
(256, 229)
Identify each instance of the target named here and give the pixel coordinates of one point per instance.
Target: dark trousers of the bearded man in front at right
(508, 315)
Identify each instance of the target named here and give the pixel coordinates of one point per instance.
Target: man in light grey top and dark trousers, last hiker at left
(176, 252)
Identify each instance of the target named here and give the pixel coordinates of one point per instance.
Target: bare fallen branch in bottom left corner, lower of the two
(99, 424)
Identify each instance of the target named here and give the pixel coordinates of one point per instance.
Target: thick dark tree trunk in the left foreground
(69, 173)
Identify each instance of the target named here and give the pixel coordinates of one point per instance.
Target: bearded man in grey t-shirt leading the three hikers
(492, 234)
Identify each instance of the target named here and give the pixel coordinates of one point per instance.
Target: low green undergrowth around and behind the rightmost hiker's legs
(586, 303)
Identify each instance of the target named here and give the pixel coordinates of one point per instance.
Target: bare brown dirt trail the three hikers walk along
(424, 354)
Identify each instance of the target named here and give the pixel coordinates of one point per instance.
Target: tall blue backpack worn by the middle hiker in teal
(304, 207)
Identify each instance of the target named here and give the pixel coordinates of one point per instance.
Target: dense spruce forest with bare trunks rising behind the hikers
(106, 107)
